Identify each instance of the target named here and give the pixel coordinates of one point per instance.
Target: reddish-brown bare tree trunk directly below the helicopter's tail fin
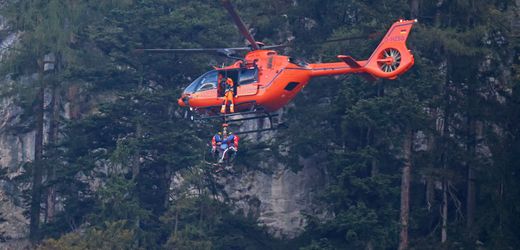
(405, 191)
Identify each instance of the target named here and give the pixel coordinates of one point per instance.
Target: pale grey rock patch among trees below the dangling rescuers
(280, 198)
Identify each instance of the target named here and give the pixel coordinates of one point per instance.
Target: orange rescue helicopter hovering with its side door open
(265, 81)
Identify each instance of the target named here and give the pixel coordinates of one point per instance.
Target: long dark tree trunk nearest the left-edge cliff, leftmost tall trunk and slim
(38, 157)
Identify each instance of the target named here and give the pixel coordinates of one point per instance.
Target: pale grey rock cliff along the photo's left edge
(15, 148)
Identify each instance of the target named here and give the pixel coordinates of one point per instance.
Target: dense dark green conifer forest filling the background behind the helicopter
(430, 160)
